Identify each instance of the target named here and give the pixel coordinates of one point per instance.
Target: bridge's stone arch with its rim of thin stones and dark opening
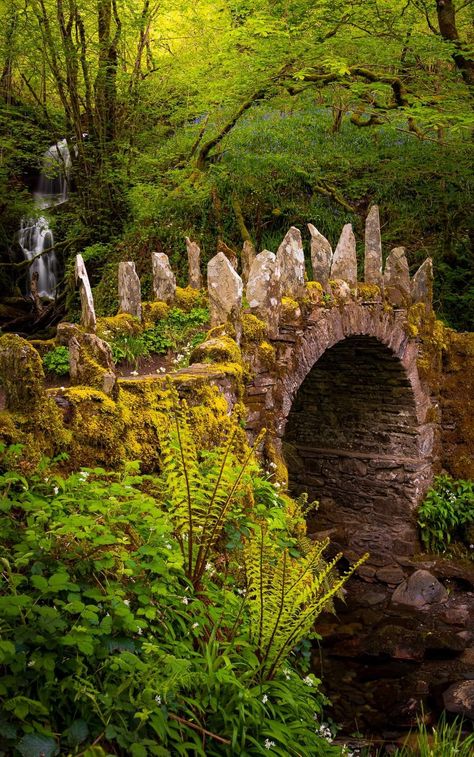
(354, 371)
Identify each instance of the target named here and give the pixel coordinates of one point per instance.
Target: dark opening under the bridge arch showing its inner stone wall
(354, 443)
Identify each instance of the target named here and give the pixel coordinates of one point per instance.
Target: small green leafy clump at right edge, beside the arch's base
(446, 513)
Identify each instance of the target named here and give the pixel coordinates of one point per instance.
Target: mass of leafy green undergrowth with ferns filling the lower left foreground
(157, 615)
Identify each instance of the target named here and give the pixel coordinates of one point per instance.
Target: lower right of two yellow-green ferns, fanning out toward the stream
(285, 595)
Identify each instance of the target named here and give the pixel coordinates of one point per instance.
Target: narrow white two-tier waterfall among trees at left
(35, 235)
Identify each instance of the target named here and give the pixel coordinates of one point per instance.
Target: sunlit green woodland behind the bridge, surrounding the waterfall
(232, 119)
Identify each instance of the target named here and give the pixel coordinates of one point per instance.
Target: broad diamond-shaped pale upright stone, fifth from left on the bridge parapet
(225, 292)
